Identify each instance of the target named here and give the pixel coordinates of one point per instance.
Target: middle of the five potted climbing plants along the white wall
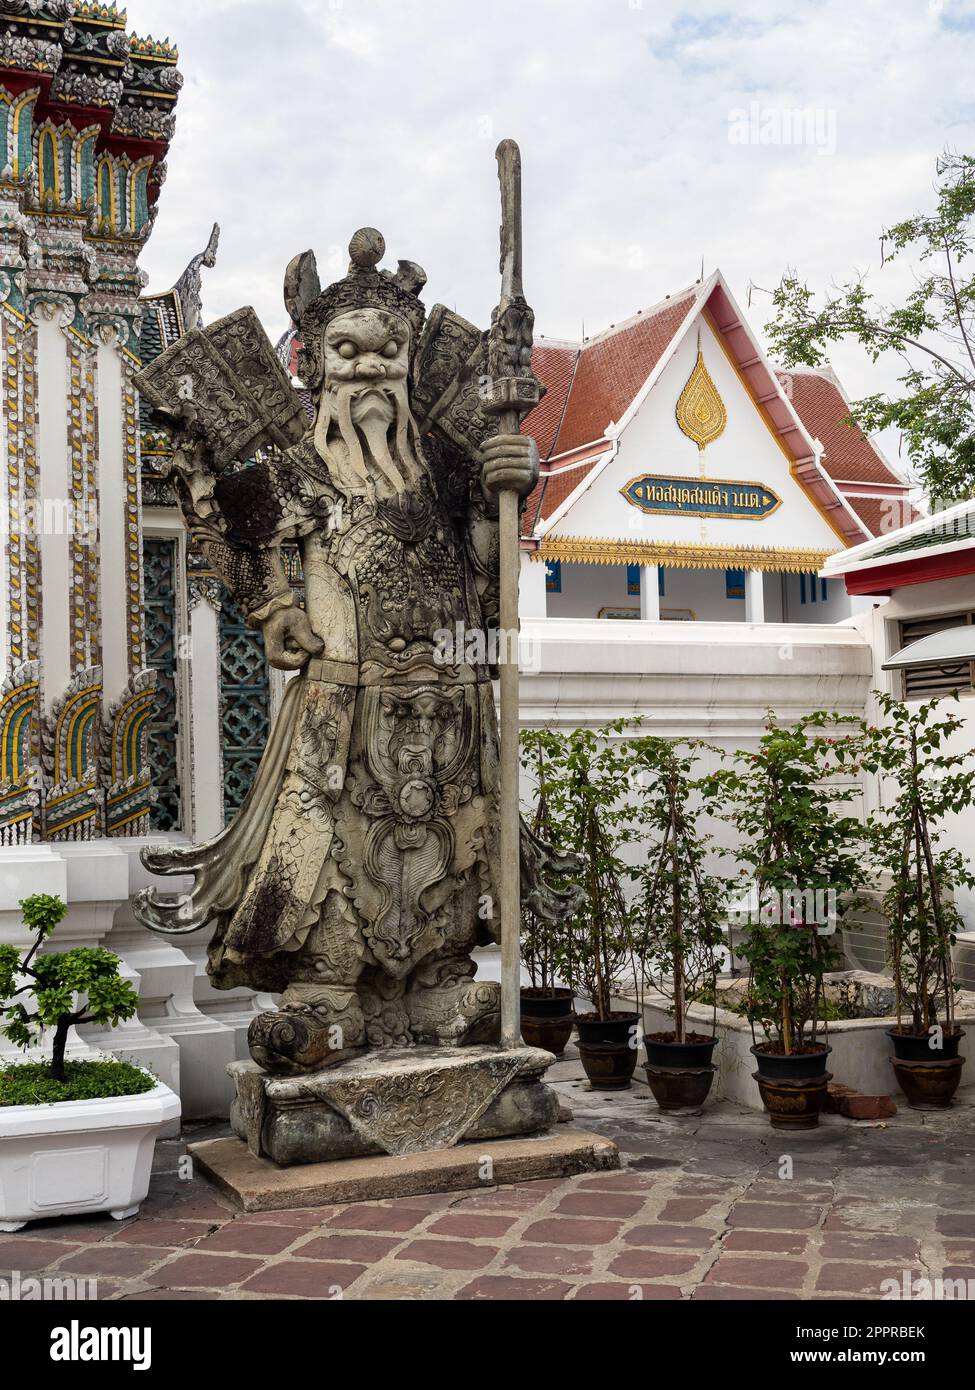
(679, 913)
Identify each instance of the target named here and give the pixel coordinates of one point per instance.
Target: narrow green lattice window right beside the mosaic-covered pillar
(161, 565)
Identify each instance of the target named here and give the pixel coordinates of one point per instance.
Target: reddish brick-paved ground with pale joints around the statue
(698, 1213)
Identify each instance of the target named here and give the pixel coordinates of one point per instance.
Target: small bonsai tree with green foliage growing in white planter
(54, 983)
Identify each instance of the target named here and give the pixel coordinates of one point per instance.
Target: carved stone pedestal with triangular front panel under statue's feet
(393, 1102)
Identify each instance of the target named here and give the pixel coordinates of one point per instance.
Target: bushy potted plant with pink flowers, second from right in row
(803, 857)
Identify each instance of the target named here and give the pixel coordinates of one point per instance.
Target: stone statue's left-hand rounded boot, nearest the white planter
(307, 1035)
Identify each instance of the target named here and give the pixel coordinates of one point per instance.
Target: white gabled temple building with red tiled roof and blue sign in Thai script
(686, 479)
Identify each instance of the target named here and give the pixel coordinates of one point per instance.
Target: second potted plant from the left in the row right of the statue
(585, 785)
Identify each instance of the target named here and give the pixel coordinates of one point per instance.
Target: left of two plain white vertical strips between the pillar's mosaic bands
(54, 504)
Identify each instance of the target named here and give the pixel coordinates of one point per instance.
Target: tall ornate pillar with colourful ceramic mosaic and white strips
(87, 116)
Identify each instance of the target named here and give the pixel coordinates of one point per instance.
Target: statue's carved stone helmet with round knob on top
(365, 287)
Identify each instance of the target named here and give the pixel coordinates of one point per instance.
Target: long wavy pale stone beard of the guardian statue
(368, 436)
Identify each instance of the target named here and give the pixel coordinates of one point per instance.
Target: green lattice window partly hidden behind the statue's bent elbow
(245, 704)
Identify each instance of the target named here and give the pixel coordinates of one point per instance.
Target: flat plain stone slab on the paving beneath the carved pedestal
(261, 1186)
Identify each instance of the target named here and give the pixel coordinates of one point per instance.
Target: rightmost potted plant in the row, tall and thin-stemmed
(928, 785)
